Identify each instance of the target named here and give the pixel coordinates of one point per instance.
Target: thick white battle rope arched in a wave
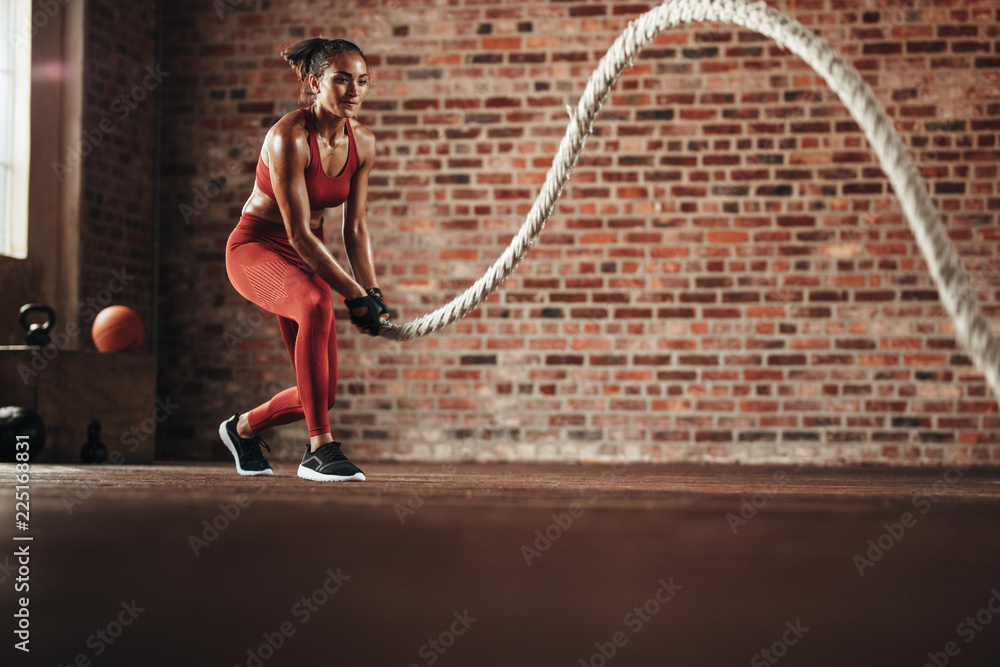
(971, 327)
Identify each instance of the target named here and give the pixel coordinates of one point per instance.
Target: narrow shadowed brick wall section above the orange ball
(116, 154)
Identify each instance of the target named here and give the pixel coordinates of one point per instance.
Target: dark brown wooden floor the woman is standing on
(428, 564)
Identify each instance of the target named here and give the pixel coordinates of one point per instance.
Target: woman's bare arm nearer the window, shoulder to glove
(288, 149)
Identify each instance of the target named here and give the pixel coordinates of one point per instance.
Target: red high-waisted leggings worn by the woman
(264, 268)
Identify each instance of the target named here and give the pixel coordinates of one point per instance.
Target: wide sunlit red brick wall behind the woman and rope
(728, 277)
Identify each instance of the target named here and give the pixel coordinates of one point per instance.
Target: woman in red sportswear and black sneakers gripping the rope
(276, 257)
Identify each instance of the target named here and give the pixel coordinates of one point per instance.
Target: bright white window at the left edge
(15, 101)
